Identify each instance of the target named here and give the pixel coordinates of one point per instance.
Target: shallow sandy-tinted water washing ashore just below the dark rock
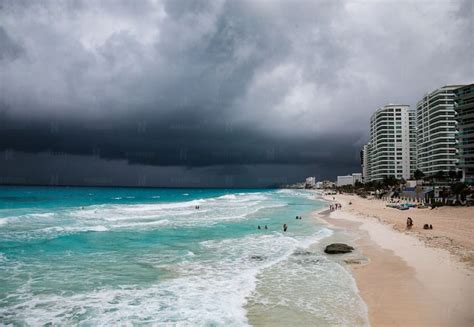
(293, 283)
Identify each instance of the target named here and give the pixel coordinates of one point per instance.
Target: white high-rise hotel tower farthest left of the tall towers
(391, 150)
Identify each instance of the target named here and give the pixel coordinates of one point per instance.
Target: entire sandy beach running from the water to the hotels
(417, 277)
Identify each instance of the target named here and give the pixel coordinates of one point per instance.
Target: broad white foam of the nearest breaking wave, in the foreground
(203, 292)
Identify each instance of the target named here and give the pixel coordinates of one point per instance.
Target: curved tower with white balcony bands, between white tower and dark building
(436, 129)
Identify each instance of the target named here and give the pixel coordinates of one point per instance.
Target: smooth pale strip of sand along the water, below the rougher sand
(406, 282)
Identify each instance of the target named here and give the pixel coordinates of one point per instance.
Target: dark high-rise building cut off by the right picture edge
(464, 108)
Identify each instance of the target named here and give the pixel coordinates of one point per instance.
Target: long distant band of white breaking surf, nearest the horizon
(106, 217)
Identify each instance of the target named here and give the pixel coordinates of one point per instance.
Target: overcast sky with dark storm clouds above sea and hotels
(212, 93)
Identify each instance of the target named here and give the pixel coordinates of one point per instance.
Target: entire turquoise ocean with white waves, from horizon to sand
(148, 256)
